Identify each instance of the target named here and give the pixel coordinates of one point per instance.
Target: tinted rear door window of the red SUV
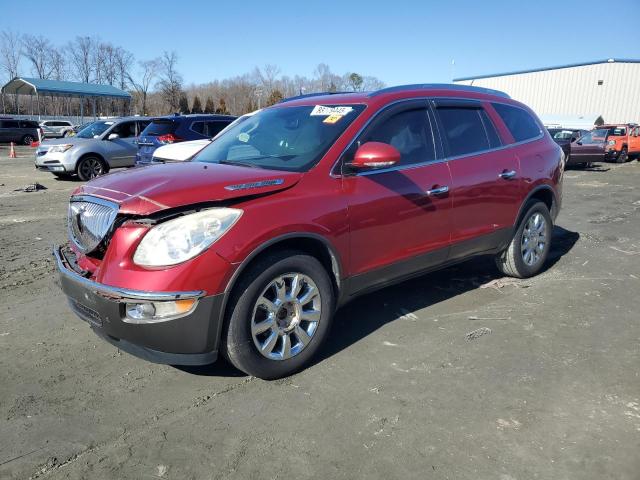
(467, 130)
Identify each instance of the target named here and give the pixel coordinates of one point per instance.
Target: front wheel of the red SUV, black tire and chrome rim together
(252, 323)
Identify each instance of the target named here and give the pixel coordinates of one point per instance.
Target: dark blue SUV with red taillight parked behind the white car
(178, 128)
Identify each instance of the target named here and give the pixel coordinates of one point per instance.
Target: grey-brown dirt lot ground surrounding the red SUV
(550, 391)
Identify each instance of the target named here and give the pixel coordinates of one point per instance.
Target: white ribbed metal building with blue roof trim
(609, 88)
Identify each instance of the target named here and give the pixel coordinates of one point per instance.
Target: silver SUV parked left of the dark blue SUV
(95, 150)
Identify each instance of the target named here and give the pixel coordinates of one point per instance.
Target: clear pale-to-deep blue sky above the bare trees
(399, 42)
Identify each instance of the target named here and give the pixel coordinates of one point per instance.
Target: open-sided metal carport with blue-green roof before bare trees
(58, 88)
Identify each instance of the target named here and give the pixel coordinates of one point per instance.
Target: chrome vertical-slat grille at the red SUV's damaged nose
(88, 220)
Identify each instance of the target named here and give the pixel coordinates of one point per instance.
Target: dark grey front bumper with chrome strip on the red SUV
(186, 339)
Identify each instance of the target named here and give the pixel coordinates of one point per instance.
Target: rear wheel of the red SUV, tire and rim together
(519, 261)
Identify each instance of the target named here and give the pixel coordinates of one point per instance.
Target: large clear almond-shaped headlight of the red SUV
(180, 239)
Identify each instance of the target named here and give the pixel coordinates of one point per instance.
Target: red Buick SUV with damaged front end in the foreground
(249, 249)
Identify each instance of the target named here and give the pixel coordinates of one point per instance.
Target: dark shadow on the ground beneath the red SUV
(368, 313)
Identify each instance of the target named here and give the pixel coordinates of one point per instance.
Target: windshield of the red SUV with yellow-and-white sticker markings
(282, 138)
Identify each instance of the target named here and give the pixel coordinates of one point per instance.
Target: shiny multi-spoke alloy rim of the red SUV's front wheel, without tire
(286, 316)
